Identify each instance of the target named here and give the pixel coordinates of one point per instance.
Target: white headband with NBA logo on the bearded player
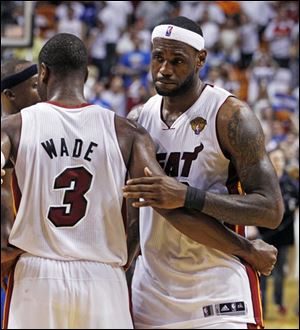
(174, 32)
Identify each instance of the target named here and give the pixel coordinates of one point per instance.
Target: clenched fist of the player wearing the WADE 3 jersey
(263, 257)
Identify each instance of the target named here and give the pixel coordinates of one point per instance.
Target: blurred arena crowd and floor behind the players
(253, 52)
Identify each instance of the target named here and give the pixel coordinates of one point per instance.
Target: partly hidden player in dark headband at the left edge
(18, 90)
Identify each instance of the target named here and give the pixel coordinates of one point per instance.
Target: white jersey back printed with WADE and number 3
(70, 173)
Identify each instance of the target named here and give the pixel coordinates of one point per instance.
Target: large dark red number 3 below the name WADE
(76, 181)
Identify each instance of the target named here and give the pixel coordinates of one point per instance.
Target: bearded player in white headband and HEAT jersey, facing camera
(207, 139)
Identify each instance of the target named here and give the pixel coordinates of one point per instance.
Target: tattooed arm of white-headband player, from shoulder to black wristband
(242, 141)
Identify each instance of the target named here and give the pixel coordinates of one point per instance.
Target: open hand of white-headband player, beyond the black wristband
(158, 191)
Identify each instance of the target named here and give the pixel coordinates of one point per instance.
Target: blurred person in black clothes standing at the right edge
(283, 236)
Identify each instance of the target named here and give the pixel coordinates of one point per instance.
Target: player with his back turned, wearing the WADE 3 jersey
(71, 161)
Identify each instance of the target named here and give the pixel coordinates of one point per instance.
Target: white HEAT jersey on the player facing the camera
(179, 283)
